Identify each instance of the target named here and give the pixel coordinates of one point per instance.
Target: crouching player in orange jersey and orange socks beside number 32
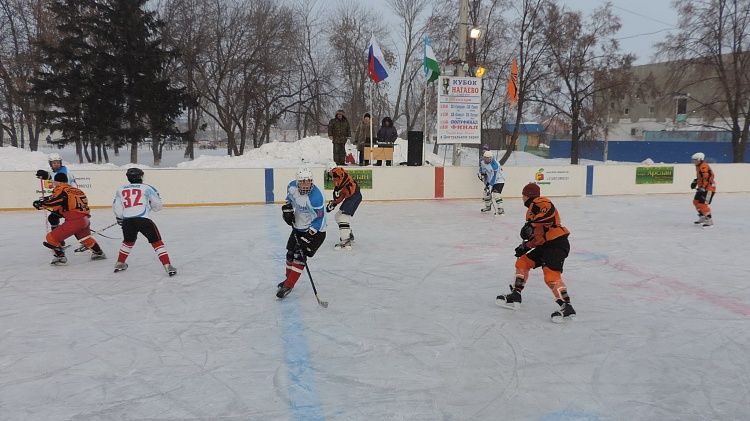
(70, 203)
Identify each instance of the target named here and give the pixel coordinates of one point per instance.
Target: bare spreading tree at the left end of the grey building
(586, 61)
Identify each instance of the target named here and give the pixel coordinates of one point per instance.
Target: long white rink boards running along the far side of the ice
(186, 187)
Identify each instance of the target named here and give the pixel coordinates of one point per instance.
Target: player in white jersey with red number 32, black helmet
(131, 205)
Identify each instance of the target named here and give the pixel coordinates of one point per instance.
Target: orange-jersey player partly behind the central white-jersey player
(345, 192)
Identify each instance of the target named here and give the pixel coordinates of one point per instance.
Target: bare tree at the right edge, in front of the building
(713, 41)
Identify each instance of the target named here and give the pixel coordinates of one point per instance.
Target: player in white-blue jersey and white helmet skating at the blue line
(305, 212)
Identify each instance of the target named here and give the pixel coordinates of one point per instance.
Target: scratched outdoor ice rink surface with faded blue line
(412, 331)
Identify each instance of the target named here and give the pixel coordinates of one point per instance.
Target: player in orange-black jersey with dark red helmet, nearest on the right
(545, 243)
